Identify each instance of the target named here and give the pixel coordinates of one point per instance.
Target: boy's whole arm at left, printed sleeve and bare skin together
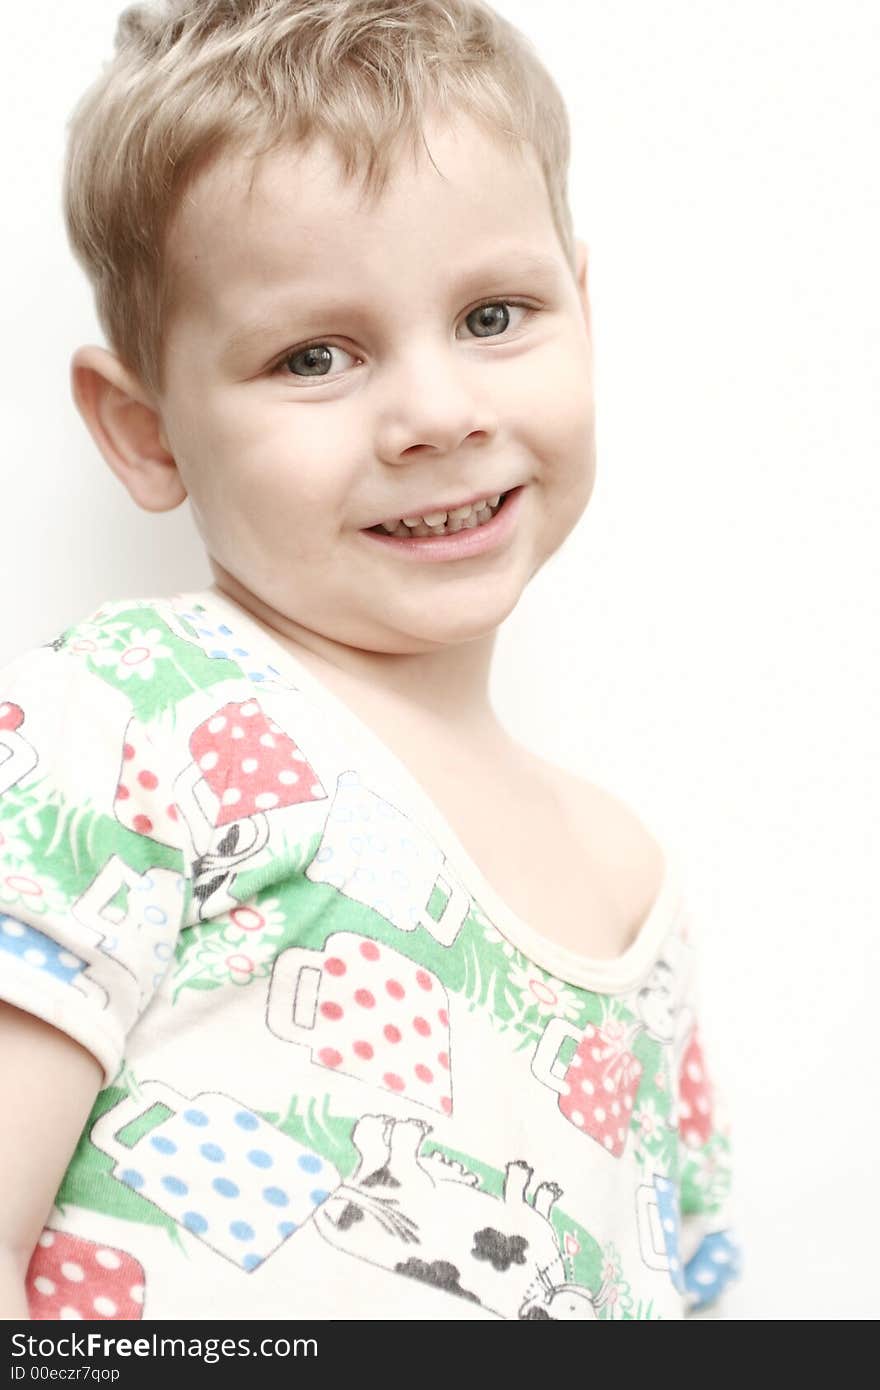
(65, 957)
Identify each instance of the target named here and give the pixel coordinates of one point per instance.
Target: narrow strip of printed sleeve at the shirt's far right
(711, 1254)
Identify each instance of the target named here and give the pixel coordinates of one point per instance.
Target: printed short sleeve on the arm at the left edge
(92, 879)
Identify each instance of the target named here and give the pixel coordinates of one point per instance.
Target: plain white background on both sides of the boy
(706, 646)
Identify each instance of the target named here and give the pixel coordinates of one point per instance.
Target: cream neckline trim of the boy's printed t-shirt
(612, 975)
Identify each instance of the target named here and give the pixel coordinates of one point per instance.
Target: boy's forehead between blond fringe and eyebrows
(290, 218)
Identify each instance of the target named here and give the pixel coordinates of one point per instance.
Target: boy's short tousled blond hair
(197, 79)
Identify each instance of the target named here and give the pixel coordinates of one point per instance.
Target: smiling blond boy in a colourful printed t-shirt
(344, 1003)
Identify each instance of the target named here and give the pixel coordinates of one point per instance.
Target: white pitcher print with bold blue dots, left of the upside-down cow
(222, 1172)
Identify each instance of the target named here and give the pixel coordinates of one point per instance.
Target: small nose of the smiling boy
(434, 402)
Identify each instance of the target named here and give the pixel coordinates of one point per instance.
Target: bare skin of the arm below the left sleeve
(48, 1088)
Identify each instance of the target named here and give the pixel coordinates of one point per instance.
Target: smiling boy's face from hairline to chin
(409, 400)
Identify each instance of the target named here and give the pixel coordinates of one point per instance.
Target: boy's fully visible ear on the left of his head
(127, 429)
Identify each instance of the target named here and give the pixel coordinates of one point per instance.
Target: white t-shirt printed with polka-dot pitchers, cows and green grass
(343, 1079)
